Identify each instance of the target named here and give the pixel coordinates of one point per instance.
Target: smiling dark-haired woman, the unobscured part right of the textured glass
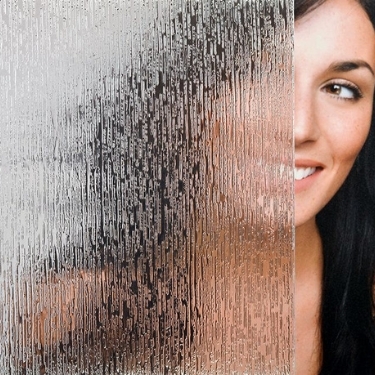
(334, 160)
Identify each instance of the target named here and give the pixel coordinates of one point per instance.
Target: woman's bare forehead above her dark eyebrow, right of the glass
(336, 30)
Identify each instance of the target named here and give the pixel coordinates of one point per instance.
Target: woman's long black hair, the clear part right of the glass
(347, 227)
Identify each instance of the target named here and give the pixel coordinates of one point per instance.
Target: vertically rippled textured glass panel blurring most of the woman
(146, 187)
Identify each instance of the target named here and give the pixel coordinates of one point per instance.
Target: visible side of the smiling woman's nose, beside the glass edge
(306, 122)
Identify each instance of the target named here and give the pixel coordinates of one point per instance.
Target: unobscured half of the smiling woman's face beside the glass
(334, 84)
